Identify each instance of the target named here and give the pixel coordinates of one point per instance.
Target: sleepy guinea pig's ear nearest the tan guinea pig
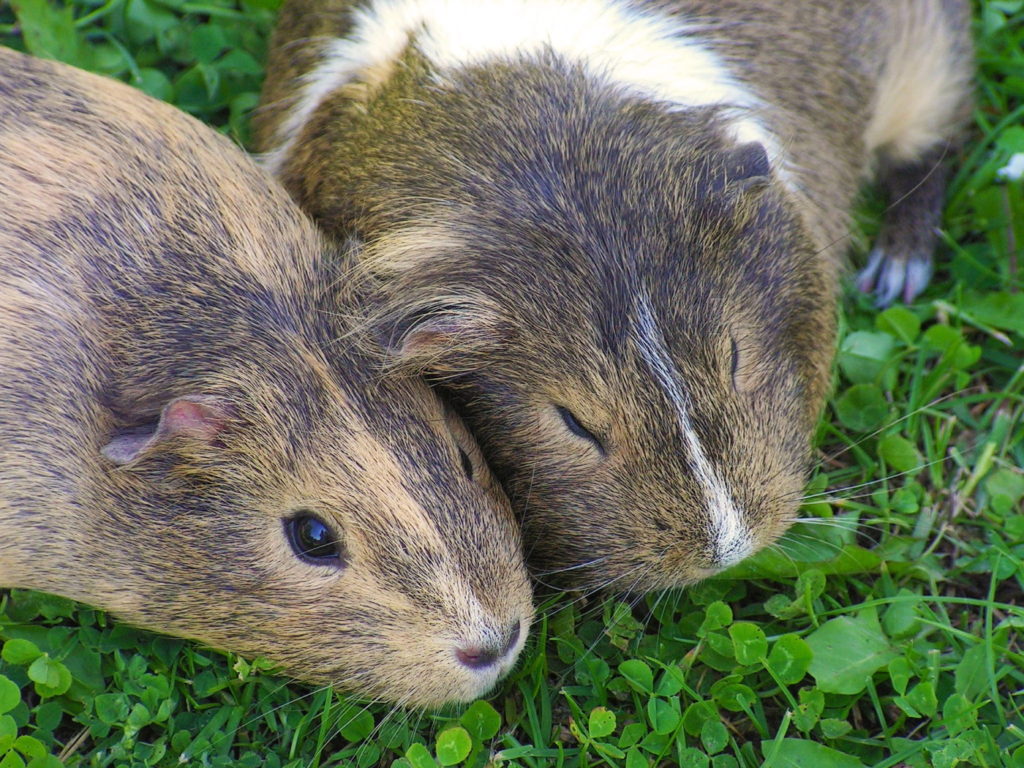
(430, 338)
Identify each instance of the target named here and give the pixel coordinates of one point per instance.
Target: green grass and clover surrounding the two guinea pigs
(887, 632)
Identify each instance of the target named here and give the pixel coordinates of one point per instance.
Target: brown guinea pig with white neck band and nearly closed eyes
(612, 232)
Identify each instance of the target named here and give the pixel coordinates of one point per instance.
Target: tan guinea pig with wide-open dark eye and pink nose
(189, 440)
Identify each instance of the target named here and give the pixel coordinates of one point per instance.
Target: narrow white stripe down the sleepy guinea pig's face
(732, 538)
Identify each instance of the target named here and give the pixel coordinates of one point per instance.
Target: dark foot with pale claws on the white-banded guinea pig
(901, 266)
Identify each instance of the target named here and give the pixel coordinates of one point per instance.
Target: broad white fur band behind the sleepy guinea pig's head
(644, 52)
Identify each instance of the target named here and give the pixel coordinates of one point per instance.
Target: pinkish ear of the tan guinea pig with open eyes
(195, 417)
